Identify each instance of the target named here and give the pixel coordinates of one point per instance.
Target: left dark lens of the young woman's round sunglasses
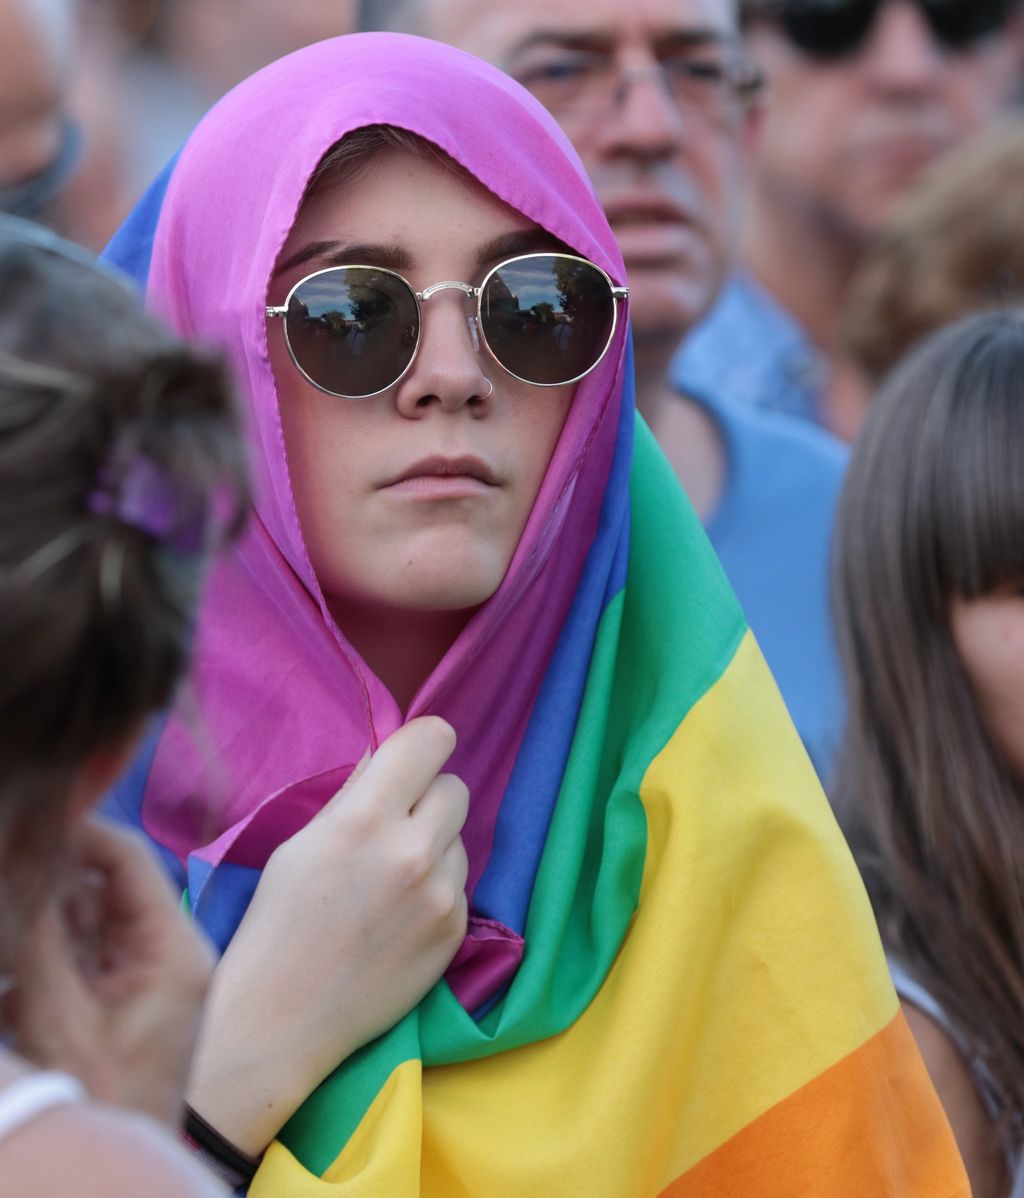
(353, 330)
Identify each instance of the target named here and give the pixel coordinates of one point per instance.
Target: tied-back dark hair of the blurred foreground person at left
(95, 610)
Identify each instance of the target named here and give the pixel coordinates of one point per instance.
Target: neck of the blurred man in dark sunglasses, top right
(807, 265)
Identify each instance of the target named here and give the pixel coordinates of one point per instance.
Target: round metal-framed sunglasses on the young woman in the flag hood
(547, 319)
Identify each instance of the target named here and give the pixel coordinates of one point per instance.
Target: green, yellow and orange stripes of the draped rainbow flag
(704, 1007)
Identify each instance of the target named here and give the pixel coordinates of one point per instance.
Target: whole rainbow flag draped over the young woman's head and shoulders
(672, 983)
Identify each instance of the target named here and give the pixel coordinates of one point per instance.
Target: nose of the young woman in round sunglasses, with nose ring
(447, 372)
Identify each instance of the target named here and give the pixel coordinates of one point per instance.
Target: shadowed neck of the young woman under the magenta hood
(403, 649)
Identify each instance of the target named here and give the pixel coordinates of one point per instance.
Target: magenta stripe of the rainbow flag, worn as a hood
(282, 706)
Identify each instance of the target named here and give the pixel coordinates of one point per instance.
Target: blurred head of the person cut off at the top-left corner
(39, 143)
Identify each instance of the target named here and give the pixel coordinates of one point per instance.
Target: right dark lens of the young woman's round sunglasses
(548, 318)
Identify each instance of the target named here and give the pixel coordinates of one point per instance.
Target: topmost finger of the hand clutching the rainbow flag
(405, 765)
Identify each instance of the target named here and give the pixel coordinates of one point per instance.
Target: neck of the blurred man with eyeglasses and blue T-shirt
(688, 437)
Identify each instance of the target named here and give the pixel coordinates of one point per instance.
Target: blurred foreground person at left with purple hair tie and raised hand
(119, 456)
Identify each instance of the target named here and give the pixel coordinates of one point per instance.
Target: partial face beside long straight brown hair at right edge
(989, 634)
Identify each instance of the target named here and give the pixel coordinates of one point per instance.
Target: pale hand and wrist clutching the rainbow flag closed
(354, 921)
